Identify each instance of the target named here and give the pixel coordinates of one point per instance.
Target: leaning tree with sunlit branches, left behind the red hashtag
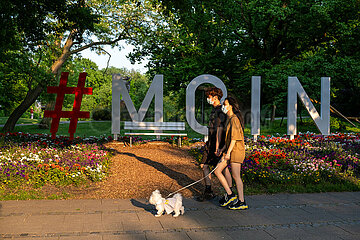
(62, 33)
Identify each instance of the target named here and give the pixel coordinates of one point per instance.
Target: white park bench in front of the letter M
(155, 126)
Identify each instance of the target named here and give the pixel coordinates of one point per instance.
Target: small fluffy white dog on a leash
(173, 204)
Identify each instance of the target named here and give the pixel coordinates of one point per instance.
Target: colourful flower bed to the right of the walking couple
(309, 159)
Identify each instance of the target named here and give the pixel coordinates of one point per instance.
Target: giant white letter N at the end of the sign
(295, 89)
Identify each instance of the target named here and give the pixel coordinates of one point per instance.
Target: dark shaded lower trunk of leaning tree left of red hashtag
(30, 98)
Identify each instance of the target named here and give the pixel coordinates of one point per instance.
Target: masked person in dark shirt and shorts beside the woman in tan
(216, 141)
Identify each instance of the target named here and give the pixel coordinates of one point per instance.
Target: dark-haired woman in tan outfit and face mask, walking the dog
(233, 152)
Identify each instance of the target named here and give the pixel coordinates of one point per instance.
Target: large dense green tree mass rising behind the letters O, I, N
(235, 39)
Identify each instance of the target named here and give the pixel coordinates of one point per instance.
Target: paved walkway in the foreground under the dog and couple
(280, 216)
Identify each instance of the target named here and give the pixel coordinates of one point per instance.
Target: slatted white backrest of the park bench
(179, 126)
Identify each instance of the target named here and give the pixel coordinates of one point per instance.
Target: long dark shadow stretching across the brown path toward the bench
(180, 178)
